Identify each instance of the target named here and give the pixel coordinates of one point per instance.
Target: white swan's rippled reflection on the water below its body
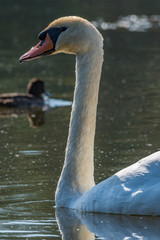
(85, 226)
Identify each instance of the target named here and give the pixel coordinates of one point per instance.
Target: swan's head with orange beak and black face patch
(73, 35)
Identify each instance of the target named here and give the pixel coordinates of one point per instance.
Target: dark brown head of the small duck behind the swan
(36, 88)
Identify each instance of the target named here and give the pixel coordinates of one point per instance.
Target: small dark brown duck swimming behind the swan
(33, 97)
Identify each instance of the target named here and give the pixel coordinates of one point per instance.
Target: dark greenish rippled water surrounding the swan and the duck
(127, 123)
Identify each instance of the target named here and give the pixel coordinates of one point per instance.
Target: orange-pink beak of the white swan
(44, 47)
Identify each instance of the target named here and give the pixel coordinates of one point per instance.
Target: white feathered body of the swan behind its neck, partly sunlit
(133, 190)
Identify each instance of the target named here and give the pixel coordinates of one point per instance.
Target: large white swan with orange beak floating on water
(133, 190)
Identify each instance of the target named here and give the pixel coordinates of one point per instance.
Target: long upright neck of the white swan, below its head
(78, 172)
